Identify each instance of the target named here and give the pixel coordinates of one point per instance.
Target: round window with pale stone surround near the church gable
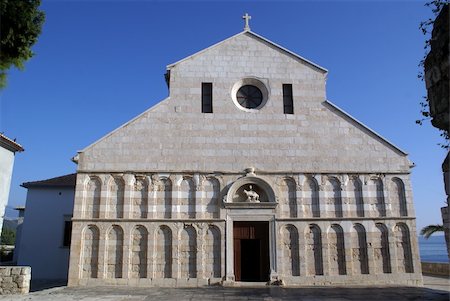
(249, 94)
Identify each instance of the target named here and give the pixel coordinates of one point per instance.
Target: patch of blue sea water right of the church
(433, 249)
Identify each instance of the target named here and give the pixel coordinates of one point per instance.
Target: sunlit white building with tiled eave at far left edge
(8, 149)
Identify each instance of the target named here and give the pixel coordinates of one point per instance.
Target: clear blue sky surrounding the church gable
(98, 64)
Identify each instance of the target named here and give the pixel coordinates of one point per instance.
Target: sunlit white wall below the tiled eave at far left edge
(6, 168)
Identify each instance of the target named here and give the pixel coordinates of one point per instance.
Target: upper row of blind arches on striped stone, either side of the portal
(199, 196)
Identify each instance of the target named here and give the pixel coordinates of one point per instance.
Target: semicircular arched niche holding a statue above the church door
(250, 191)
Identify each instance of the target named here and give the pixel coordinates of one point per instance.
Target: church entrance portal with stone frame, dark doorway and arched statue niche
(250, 242)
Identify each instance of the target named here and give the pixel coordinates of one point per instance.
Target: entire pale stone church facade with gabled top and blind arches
(245, 173)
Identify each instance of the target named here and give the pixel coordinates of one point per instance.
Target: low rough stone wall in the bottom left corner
(14, 280)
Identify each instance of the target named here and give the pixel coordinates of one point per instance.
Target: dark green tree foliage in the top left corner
(20, 25)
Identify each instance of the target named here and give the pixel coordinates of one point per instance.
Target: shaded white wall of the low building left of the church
(41, 245)
